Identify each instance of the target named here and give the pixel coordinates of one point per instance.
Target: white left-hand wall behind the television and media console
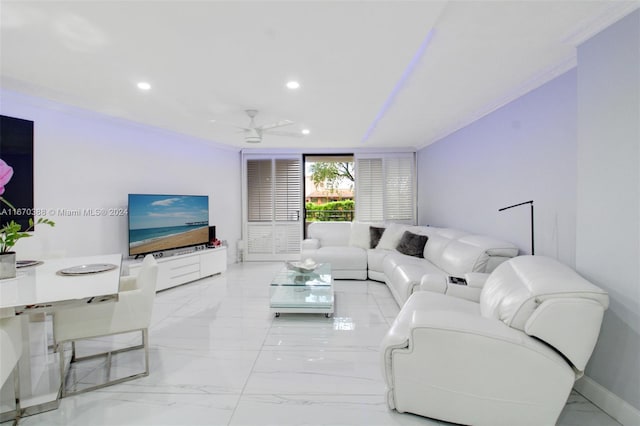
(84, 160)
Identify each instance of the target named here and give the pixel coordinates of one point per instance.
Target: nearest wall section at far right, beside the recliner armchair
(608, 201)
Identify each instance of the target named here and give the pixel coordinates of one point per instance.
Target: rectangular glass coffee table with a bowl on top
(303, 292)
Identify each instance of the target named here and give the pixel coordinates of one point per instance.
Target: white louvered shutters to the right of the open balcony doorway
(385, 188)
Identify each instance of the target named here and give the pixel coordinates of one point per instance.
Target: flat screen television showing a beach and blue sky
(164, 222)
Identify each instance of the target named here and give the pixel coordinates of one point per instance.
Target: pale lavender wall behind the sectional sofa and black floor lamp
(523, 151)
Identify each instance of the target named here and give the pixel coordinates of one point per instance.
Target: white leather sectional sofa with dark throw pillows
(447, 253)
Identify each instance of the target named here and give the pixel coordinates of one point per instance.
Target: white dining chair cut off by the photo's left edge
(10, 353)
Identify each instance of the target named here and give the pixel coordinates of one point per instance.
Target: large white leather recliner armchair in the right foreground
(511, 359)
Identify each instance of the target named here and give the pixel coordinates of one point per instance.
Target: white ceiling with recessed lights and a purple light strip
(373, 74)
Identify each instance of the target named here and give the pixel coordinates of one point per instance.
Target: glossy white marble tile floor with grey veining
(219, 357)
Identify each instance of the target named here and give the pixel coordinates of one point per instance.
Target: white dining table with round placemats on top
(43, 288)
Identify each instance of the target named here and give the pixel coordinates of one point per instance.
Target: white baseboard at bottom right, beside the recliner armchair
(607, 401)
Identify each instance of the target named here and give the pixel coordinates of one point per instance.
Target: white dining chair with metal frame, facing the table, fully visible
(130, 313)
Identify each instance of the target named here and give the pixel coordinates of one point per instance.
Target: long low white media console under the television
(178, 269)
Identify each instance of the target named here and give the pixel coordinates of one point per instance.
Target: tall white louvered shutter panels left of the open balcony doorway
(273, 224)
